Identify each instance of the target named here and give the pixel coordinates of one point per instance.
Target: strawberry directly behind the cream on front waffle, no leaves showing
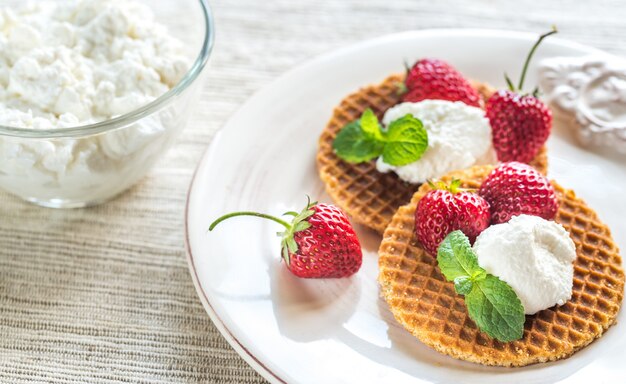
(514, 189)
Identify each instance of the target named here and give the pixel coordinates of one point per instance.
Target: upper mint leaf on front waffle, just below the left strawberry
(456, 257)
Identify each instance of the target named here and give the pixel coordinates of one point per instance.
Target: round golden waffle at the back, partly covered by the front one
(371, 197)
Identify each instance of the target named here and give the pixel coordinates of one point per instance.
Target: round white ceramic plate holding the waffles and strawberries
(340, 331)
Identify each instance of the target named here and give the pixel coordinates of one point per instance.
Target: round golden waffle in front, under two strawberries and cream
(428, 307)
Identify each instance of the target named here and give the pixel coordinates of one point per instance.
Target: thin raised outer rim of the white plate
(232, 340)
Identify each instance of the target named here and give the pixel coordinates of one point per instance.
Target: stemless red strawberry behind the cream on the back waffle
(436, 79)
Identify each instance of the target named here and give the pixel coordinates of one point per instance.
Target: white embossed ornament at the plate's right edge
(592, 90)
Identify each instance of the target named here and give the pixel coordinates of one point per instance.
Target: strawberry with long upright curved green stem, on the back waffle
(520, 123)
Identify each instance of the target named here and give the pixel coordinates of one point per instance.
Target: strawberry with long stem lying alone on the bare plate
(318, 243)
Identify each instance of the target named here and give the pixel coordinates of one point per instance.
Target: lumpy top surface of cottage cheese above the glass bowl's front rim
(87, 59)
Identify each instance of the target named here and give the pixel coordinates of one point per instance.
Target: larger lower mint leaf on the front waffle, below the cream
(496, 309)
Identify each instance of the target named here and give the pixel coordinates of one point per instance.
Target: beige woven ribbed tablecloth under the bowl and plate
(103, 295)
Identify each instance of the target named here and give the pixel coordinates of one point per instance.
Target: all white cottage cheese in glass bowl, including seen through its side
(79, 62)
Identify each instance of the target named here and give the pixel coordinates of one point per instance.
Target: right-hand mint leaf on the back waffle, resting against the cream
(407, 141)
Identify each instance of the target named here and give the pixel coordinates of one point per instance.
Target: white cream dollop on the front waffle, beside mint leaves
(534, 256)
